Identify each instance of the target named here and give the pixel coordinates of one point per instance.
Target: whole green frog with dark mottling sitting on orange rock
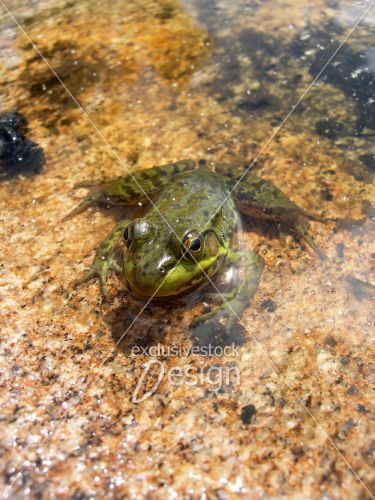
(189, 198)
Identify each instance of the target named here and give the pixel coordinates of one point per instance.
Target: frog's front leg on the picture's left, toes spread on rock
(106, 258)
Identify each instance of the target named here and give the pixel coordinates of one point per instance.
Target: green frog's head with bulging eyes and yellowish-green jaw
(162, 262)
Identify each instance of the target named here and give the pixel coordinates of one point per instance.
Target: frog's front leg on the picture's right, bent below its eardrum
(235, 301)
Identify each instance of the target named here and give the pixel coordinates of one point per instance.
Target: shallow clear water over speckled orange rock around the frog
(128, 85)
